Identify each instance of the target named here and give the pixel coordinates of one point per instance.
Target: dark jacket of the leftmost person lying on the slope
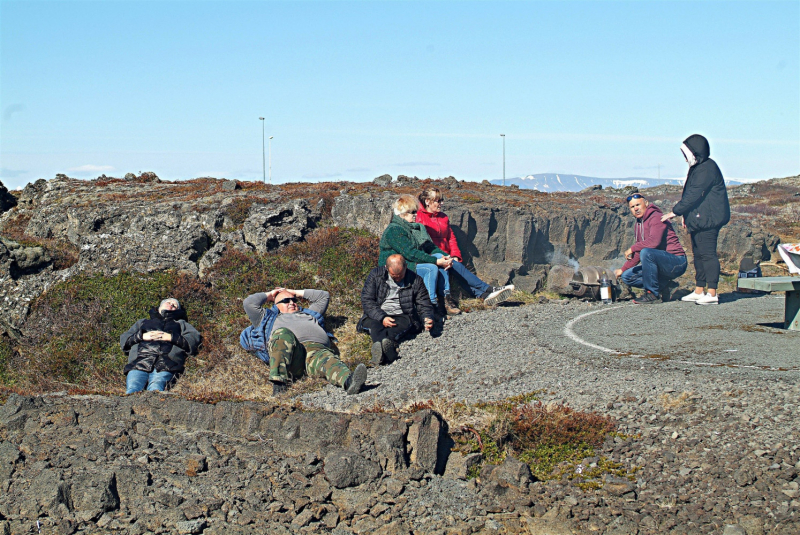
(149, 355)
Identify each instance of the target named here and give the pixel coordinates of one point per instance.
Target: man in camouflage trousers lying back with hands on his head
(293, 340)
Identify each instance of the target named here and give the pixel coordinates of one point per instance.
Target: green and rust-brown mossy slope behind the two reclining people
(72, 334)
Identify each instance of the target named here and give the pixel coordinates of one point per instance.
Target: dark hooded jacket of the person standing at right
(704, 204)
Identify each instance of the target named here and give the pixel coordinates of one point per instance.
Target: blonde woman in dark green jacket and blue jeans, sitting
(408, 238)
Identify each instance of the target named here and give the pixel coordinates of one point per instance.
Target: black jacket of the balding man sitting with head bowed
(414, 299)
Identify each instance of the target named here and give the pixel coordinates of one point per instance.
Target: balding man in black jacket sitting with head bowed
(396, 304)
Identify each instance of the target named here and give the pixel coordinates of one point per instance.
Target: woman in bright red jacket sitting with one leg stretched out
(437, 224)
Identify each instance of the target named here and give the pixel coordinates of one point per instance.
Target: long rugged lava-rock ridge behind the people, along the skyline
(143, 224)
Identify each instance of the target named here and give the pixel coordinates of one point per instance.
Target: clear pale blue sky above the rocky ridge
(354, 90)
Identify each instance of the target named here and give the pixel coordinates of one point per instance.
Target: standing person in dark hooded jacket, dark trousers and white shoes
(705, 210)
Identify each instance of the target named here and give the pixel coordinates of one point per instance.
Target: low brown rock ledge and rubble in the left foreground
(157, 463)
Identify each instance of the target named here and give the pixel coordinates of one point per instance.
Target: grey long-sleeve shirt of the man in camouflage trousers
(304, 327)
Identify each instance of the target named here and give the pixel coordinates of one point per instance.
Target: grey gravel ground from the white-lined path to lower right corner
(710, 393)
